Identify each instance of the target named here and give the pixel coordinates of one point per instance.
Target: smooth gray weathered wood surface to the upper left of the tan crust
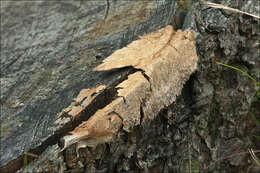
(48, 51)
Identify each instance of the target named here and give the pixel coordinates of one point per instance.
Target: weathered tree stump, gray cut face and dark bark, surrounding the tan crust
(48, 50)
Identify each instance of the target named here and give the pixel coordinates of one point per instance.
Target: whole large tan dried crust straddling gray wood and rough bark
(164, 61)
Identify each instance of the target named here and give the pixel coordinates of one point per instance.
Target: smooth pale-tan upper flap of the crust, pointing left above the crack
(139, 53)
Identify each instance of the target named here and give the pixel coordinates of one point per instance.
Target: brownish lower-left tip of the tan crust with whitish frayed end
(99, 128)
